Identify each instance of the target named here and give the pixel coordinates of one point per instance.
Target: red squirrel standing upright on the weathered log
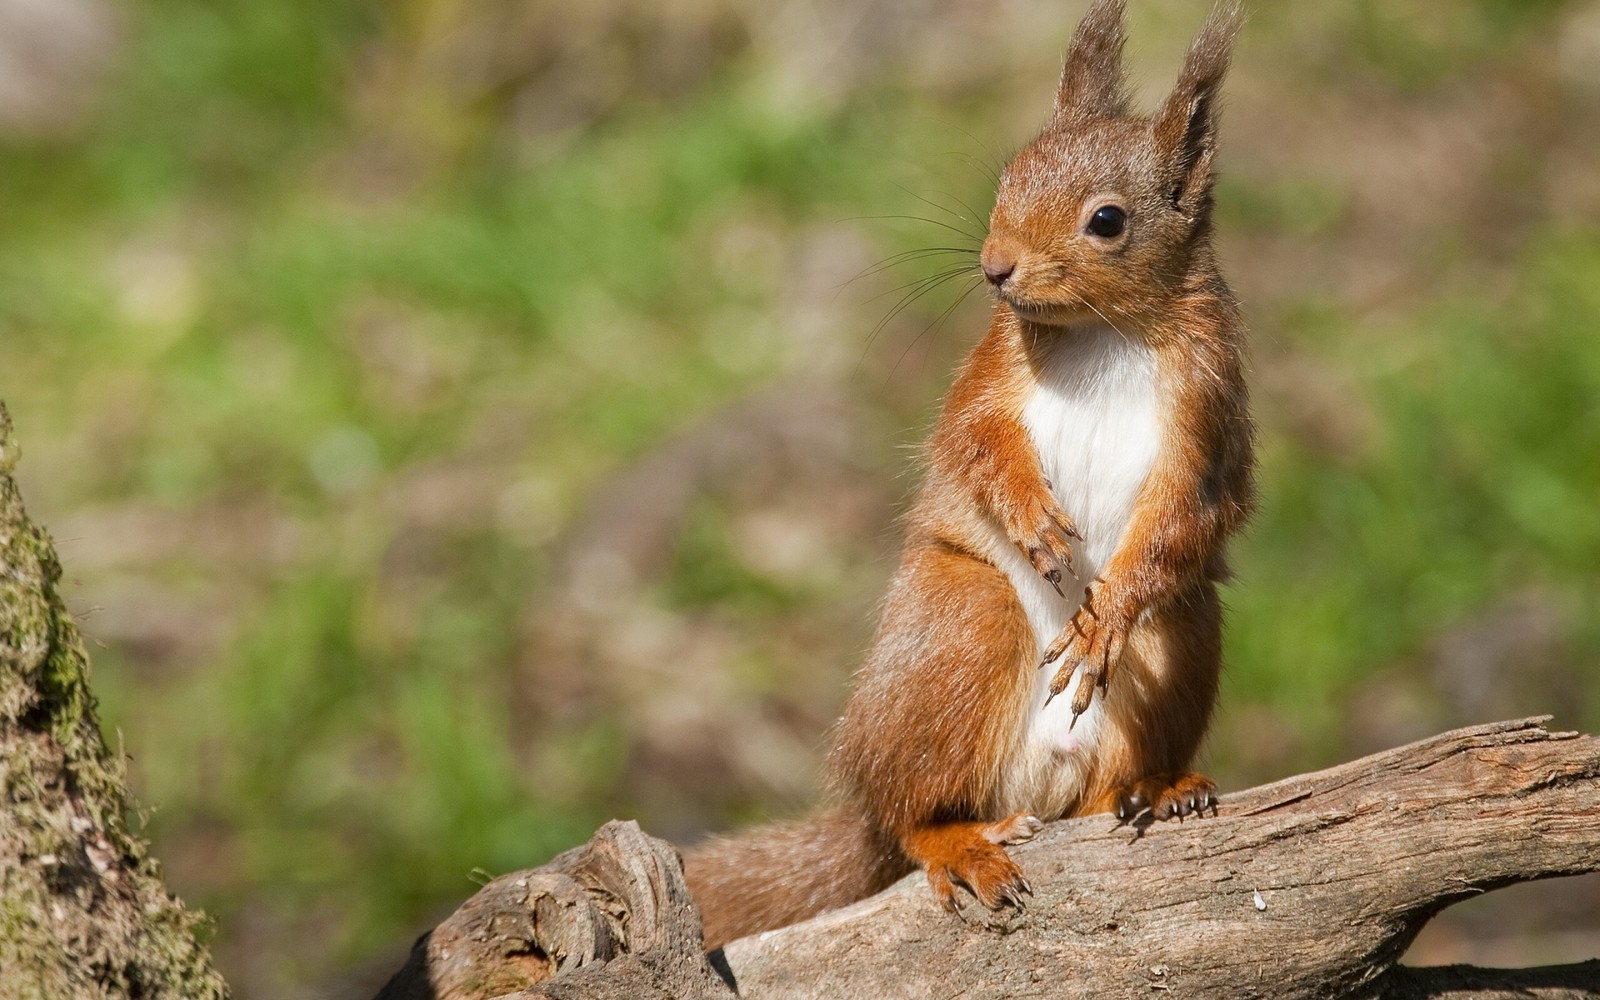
(1092, 460)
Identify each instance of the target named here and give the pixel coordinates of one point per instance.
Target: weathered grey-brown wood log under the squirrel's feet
(1311, 887)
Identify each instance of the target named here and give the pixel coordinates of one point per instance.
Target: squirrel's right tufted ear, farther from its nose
(1186, 126)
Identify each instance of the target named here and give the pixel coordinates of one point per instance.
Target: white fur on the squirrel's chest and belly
(1097, 423)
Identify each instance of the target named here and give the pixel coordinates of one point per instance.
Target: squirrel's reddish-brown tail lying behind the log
(782, 874)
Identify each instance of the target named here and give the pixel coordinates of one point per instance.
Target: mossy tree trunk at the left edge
(84, 911)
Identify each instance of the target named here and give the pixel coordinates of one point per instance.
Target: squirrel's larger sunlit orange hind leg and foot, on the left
(935, 718)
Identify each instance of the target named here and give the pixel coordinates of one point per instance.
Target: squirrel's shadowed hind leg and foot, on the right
(1158, 713)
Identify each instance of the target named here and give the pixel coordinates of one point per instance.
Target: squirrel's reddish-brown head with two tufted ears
(1105, 212)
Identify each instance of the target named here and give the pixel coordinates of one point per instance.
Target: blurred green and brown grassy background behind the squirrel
(465, 422)
